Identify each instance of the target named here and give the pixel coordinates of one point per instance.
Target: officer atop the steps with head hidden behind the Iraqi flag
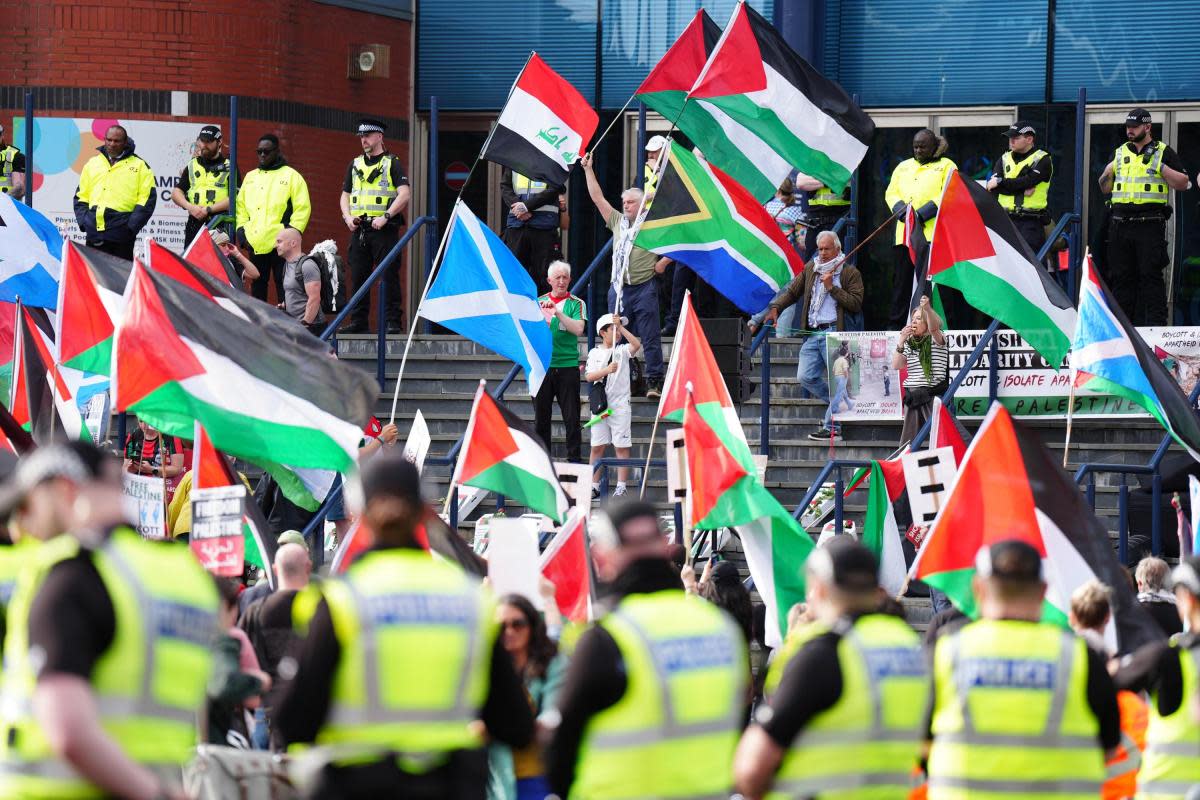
(531, 230)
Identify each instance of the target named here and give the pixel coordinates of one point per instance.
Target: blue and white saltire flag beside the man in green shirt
(483, 293)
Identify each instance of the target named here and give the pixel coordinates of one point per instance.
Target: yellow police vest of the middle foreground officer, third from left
(674, 732)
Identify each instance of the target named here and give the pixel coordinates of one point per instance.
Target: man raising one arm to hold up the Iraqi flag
(634, 270)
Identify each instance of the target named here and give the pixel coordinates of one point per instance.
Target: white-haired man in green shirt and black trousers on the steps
(568, 316)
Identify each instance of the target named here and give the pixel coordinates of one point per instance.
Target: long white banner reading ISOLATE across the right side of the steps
(1027, 384)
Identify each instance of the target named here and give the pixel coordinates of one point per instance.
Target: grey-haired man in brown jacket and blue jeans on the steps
(830, 291)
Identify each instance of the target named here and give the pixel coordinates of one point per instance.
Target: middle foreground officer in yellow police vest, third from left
(657, 690)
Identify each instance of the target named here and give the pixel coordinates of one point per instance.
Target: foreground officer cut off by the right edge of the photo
(1171, 672)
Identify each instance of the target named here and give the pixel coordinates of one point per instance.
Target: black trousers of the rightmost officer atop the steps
(1137, 257)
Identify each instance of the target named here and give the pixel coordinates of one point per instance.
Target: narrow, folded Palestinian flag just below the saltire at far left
(41, 401)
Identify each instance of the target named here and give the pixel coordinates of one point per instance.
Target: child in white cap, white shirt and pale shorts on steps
(609, 363)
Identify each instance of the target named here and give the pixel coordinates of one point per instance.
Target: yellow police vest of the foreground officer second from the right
(1011, 715)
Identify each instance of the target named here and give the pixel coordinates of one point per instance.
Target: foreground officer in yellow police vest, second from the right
(1022, 708)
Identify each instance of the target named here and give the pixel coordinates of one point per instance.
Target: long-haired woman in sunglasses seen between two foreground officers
(520, 774)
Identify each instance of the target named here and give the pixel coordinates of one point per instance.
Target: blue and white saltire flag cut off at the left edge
(31, 248)
